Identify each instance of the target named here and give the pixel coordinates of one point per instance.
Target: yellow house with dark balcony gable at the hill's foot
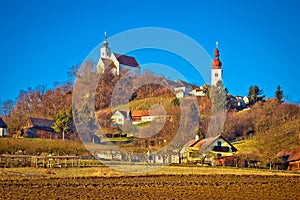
(211, 150)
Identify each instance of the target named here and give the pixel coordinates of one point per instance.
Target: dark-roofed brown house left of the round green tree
(39, 128)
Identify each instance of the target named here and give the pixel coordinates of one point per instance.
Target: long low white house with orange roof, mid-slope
(140, 116)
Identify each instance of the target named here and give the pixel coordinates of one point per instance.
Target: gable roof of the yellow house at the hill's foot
(204, 143)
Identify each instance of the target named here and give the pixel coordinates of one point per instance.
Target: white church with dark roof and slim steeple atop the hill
(114, 61)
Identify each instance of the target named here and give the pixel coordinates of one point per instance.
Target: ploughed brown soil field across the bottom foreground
(154, 187)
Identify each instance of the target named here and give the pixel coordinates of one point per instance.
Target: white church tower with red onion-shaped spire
(216, 71)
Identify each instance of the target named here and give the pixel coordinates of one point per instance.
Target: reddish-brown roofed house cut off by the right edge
(291, 158)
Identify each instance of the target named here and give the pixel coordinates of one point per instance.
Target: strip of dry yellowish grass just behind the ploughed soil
(139, 169)
